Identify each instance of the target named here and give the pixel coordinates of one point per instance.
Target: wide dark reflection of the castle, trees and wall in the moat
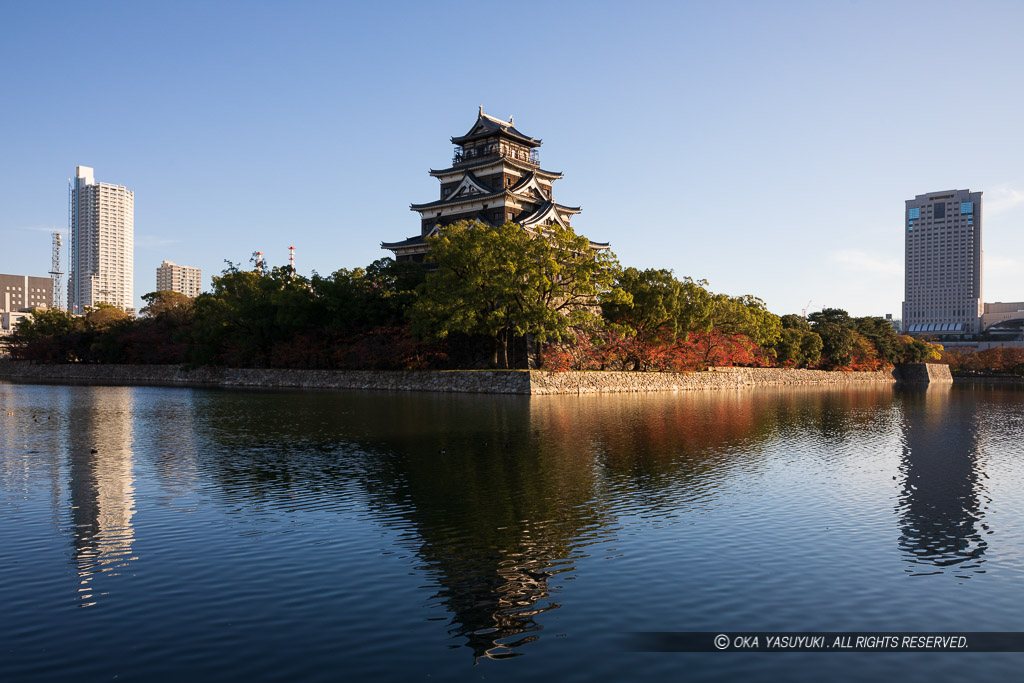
(501, 498)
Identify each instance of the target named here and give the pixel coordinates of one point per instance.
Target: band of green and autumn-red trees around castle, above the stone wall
(486, 296)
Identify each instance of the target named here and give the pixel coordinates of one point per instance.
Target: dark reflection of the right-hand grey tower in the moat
(943, 497)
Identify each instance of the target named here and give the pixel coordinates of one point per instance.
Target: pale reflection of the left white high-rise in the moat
(102, 487)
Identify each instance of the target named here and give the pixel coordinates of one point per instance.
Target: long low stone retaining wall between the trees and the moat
(516, 382)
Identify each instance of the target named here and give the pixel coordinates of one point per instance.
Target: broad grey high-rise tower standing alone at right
(944, 264)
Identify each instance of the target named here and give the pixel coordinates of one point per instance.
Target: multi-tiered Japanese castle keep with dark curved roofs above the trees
(495, 178)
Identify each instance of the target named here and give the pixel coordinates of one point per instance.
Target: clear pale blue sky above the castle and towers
(764, 147)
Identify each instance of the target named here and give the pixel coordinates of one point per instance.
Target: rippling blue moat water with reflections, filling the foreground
(179, 534)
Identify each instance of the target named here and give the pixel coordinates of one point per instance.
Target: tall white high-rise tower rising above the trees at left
(103, 228)
